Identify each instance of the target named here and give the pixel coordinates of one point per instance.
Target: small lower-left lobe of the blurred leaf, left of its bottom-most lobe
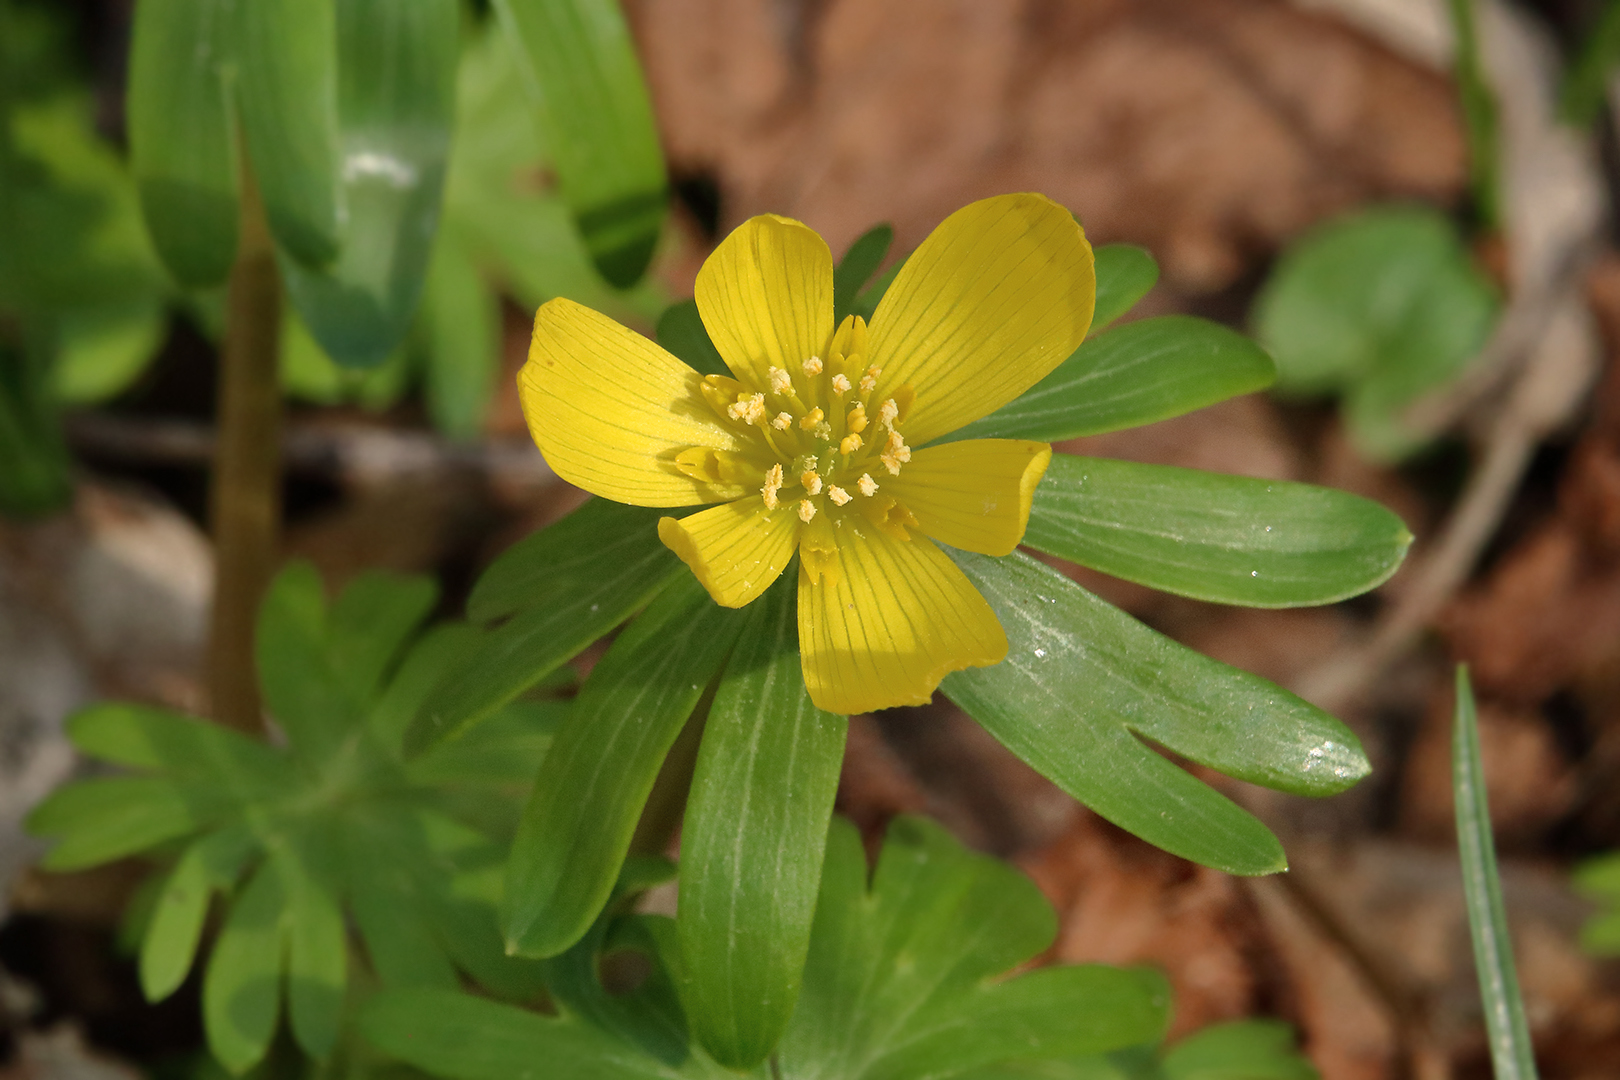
(171, 943)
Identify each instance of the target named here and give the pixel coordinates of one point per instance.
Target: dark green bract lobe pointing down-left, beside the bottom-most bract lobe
(600, 770)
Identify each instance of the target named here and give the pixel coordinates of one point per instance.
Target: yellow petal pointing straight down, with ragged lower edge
(897, 619)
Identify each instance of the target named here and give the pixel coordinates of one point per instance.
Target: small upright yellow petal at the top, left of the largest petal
(767, 297)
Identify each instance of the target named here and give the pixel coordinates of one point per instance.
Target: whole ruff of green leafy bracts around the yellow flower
(1089, 695)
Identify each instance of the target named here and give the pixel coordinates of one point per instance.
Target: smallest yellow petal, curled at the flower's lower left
(736, 550)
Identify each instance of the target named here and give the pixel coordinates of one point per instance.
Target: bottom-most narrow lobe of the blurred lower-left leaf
(242, 990)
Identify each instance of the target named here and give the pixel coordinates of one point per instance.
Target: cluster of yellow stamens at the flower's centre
(817, 438)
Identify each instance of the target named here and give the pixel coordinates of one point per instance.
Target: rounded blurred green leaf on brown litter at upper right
(1381, 307)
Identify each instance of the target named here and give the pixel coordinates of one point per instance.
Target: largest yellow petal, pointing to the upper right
(997, 297)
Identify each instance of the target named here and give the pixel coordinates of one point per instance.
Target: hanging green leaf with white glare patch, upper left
(396, 100)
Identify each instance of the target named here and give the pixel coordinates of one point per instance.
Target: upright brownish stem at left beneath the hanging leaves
(245, 500)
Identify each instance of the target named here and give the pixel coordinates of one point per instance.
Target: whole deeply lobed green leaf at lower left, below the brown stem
(331, 831)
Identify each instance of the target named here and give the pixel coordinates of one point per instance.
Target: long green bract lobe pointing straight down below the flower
(751, 848)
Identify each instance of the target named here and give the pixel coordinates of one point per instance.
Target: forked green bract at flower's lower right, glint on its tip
(1083, 691)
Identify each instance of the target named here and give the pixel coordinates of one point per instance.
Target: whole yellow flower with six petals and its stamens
(819, 441)
